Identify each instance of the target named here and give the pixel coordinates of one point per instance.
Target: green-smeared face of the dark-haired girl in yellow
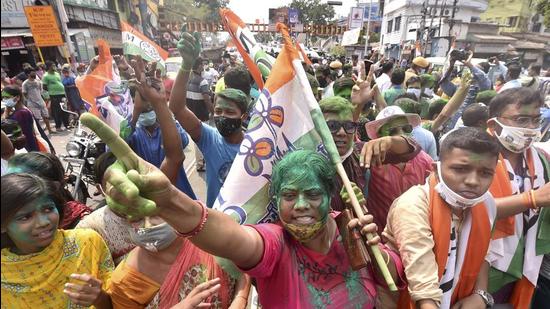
(33, 227)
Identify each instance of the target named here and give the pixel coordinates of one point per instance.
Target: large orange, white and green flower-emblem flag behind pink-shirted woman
(286, 117)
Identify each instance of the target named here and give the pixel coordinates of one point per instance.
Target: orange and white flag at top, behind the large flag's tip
(257, 61)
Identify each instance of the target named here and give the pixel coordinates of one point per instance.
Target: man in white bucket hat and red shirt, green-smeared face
(397, 175)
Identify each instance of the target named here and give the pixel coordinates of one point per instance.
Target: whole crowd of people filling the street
(453, 166)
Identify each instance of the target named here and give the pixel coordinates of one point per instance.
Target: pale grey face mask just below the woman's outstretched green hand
(153, 239)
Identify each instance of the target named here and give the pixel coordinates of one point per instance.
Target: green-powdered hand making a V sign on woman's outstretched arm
(134, 186)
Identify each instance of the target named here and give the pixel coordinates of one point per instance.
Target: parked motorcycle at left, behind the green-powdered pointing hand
(82, 150)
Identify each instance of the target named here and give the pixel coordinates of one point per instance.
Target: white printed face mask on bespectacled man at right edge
(517, 139)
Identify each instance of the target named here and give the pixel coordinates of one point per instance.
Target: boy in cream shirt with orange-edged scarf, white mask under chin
(442, 229)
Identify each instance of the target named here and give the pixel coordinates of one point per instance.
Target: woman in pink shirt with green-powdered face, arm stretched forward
(298, 263)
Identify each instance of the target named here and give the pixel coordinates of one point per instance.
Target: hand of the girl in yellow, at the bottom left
(86, 294)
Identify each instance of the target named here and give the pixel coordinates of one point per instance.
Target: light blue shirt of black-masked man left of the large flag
(218, 155)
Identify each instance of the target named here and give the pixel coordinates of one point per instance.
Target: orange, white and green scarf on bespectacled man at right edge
(519, 242)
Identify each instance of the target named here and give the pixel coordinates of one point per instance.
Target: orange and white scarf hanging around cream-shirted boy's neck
(477, 223)
